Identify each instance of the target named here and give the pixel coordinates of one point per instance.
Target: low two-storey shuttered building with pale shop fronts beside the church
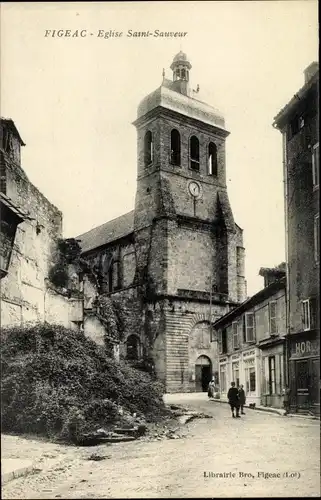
(251, 340)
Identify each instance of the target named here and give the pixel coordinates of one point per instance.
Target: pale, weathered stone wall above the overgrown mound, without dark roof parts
(25, 291)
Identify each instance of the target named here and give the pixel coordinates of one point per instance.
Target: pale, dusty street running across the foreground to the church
(247, 450)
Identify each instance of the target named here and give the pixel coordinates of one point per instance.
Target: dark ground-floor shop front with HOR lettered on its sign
(304, 372)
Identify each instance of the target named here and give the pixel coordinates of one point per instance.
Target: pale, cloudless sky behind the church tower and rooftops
(73, 100)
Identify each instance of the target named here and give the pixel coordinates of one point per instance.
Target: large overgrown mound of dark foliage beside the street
(58, 383)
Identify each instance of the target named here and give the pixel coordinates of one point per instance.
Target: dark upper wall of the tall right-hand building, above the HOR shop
(303, 205)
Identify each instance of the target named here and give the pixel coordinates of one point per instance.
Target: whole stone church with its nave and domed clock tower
(175, 264)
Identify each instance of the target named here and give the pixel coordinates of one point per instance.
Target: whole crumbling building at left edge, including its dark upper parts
(30, 230)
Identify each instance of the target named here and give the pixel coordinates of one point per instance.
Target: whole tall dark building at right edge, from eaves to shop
(298, 122)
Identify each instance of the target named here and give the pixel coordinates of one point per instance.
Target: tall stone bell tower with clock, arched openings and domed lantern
(186, 239)
